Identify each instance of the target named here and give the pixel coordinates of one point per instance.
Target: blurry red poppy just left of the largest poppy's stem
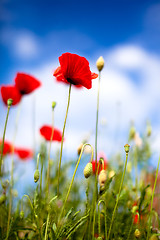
(46, 132)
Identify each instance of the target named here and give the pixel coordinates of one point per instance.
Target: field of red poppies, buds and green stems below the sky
(120, 198)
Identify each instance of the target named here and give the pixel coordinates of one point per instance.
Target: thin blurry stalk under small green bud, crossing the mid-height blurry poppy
(49, 151)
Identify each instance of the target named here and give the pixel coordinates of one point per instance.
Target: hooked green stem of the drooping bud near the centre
(70, 186)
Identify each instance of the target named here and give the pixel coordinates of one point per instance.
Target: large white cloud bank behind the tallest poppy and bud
(122, 99)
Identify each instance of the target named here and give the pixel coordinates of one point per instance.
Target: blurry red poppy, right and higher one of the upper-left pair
(26, 83)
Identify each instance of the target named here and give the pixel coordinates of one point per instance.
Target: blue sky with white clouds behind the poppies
(126, 33)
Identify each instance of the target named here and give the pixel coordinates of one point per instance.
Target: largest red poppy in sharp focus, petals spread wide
(74, 69)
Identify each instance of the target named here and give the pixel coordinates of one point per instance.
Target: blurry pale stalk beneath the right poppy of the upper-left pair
(12, 169)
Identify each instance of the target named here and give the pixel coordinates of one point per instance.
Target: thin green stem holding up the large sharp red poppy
(60, 159)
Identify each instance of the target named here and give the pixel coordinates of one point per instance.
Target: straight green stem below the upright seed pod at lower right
(117, 200)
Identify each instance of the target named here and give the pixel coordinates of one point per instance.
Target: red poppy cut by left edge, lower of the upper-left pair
(10, 92)
